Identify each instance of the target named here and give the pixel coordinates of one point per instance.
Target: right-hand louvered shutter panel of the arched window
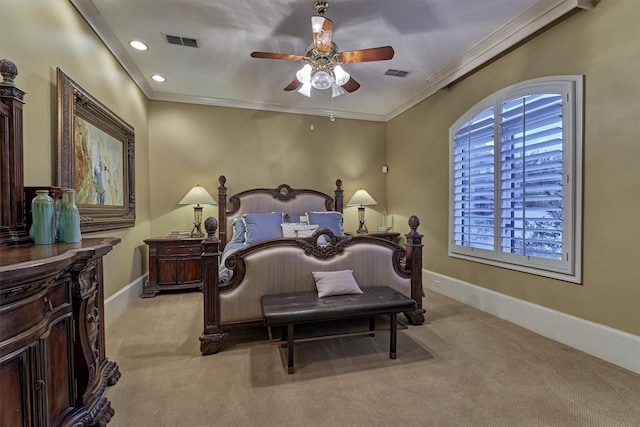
(531, 176)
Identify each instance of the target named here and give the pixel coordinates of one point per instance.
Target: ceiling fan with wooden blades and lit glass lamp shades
(323, 62)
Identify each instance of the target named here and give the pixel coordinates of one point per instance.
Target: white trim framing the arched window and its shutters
(571, 269)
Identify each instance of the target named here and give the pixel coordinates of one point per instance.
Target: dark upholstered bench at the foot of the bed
(288, 310)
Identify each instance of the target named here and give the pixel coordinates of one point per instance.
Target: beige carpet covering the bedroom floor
(463, 368)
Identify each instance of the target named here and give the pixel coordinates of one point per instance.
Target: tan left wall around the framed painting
(39, 36)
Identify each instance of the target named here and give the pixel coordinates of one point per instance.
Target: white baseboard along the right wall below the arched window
(612, 345)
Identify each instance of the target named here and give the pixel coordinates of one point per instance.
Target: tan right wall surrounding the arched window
(601, 44)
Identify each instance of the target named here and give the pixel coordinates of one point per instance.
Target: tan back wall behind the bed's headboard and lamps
(195, 144)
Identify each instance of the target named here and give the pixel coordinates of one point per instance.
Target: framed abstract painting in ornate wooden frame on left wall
(96, 158)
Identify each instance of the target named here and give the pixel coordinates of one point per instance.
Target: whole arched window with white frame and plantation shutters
(516, 179)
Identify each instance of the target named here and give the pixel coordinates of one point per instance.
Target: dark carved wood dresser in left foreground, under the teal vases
(53, 367)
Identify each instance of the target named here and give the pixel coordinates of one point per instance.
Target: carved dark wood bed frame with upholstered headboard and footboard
(406, 262)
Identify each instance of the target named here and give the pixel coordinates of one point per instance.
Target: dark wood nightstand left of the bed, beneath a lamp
(174, 264)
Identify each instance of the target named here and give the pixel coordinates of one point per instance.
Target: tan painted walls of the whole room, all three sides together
(190, 144)
